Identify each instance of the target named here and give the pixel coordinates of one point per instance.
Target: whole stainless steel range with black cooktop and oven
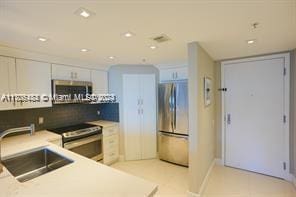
(84, 139)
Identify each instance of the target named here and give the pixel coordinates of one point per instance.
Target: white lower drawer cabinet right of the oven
(110, 144)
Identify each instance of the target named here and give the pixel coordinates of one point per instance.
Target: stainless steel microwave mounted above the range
(65, 91)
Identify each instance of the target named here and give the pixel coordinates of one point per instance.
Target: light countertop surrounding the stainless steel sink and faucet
(83, 177)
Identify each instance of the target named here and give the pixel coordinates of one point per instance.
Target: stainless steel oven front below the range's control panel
(90, 147)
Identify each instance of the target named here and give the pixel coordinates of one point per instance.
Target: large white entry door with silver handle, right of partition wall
(254, 109)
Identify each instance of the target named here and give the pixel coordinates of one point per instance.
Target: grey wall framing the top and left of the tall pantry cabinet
(115, 86)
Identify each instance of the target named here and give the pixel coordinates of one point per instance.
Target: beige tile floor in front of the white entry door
(229, 182)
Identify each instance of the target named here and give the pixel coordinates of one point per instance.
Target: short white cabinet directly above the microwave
(63, 72)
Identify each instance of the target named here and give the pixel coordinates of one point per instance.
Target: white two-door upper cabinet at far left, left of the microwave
(20, 76)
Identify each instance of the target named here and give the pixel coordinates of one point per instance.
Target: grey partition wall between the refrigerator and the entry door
(202, 119)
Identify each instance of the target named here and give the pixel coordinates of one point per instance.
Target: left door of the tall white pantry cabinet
(131, 117)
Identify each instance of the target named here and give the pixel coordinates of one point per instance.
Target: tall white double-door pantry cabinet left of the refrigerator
(139, 116)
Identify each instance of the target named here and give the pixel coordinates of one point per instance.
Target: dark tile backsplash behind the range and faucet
(59, 115)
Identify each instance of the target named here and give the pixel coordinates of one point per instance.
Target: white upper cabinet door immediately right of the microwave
(100, 82)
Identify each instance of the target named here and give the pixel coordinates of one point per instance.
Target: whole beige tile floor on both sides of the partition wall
(223, 181)
